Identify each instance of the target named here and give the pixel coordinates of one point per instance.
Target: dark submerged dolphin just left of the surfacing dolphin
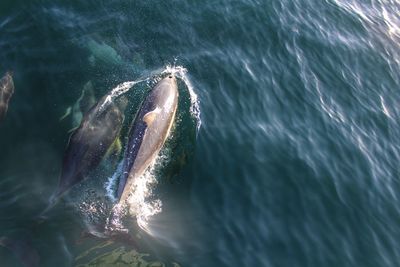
(90, 141)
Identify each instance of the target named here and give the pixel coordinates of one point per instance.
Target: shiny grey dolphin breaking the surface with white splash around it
(148, 133)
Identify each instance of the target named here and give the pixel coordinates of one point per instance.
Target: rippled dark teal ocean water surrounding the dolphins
(285, 153)
